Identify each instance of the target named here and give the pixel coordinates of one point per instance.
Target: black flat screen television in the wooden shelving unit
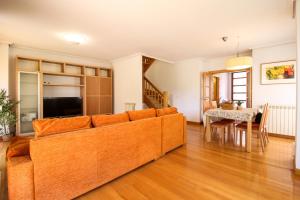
(62, 106)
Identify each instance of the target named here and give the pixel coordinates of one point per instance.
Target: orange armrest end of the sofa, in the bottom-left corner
(20, 178)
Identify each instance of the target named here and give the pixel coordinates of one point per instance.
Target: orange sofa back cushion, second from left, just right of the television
(104, 120)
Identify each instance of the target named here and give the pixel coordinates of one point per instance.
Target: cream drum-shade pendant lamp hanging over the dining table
(238, 62)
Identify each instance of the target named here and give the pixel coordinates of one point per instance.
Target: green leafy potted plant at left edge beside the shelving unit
(7, 115)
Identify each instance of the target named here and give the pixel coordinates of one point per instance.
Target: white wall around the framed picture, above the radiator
(277, 94)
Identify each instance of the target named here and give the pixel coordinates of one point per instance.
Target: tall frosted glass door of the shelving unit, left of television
(29, 101)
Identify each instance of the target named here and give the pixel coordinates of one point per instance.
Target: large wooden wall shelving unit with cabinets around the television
(94, 83)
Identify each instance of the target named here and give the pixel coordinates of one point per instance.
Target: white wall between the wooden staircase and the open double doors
(182, 81)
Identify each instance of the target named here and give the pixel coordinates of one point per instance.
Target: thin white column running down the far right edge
(298, 88)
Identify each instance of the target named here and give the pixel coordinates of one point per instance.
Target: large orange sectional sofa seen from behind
(71, 156)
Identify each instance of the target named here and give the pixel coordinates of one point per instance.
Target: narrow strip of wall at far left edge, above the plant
(4, 75)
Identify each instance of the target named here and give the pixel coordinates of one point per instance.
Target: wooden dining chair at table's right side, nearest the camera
(259, 129)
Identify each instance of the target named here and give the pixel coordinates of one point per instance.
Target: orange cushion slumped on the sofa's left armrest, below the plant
(19, 146)
